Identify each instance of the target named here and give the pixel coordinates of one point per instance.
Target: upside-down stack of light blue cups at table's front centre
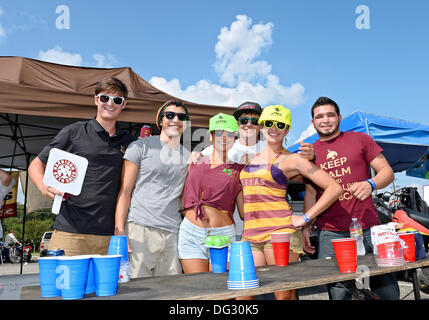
(242, 272)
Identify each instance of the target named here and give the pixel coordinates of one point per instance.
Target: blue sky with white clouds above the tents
(226, 52)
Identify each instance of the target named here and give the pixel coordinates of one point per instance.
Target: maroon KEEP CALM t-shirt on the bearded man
(346, 158)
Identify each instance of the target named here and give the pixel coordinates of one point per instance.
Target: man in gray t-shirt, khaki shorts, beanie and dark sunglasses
(148, 206)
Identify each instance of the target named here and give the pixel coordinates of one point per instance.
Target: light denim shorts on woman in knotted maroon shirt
(192, 239)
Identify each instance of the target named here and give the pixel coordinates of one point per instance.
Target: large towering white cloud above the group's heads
(247, 78)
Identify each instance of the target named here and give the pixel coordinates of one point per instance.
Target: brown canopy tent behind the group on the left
(40, 98)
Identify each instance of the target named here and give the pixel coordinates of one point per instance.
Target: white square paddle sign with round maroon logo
(65, 172)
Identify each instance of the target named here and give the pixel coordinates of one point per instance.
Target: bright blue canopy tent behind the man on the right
(404, 142)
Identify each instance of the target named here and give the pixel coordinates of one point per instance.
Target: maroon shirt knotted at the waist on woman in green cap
(217, 187)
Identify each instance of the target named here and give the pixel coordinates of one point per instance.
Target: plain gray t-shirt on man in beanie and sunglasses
(155, 200)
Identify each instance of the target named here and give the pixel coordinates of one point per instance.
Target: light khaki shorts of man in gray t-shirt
(154, 251)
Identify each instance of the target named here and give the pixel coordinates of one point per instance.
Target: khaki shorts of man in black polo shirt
(78, 243)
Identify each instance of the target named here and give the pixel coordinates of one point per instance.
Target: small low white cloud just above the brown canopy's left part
(58, 55)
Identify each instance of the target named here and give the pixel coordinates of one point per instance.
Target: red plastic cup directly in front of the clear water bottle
(346, 254)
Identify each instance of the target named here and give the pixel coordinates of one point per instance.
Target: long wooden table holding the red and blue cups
(213, 286)
